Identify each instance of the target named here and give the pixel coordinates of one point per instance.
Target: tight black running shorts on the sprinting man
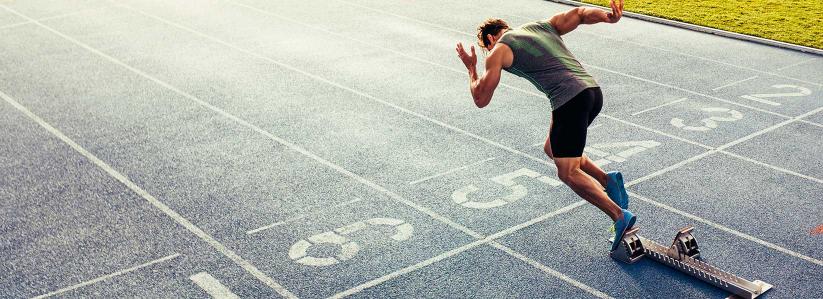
(567, 135)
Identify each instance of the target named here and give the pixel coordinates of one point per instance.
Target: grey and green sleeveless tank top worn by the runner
(541, 57)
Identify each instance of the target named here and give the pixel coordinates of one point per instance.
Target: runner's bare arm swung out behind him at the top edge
(565, 22)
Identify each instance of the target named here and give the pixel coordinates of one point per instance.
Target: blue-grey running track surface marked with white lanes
(301, 117)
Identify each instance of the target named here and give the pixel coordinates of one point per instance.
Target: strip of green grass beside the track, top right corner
(793, 21)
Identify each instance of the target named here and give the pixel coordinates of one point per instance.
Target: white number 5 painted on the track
(461, 196)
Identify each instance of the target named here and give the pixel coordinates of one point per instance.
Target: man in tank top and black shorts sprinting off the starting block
(536, 51)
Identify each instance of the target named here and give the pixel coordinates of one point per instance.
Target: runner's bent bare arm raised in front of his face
(482, 87)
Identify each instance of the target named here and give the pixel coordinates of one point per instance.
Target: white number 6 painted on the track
(347, 248)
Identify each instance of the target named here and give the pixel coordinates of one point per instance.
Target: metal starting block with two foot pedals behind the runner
(684, 255)
